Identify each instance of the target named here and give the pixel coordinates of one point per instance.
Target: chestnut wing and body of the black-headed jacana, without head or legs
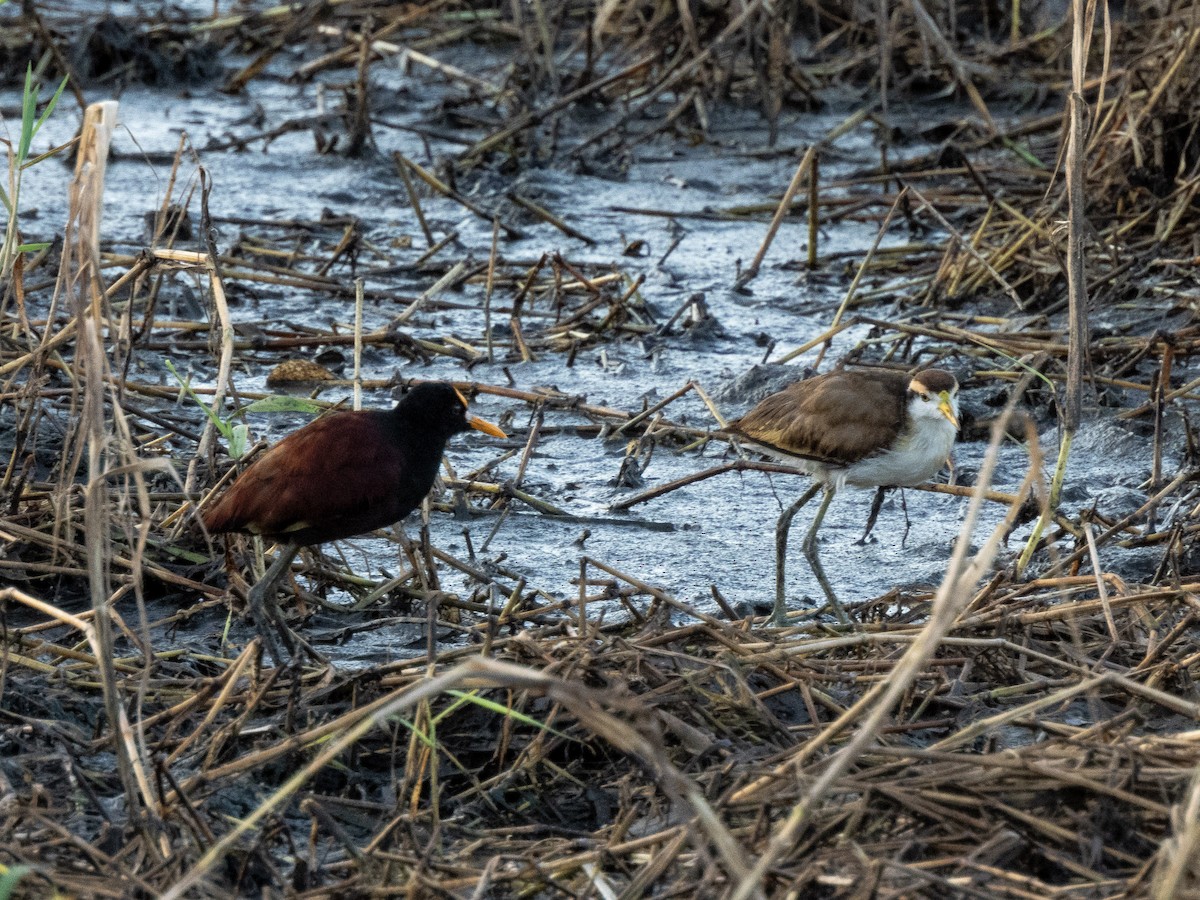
(334, 478)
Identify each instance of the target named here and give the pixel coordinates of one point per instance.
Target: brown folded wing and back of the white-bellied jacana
(838, 418)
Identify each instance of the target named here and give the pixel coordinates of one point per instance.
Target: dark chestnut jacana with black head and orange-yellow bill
(338, 477)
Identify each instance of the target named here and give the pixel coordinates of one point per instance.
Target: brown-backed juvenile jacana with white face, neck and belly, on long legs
(866, 429)
